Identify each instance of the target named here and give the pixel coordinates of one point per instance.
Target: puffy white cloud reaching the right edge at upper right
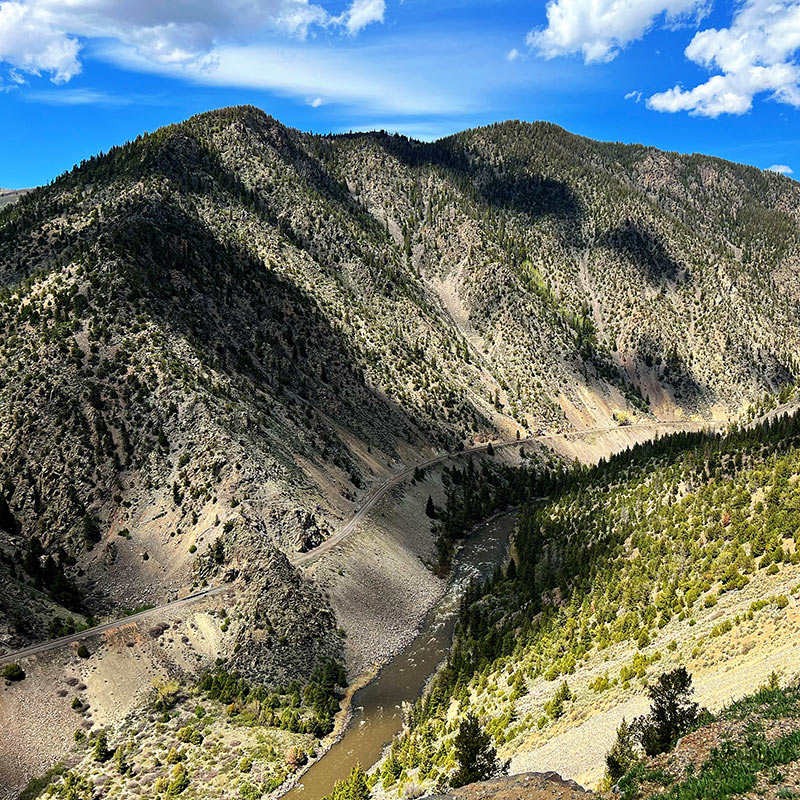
(755, 55)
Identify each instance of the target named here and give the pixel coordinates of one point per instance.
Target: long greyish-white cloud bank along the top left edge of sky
(45, 36)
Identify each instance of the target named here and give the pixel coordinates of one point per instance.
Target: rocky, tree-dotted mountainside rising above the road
(215, 336)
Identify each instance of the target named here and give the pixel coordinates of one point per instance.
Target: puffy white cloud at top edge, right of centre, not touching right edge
(599, 29)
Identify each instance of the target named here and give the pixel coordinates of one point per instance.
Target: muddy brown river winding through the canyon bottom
(377, 708)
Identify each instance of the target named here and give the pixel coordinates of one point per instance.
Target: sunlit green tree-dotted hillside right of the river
(682, 551)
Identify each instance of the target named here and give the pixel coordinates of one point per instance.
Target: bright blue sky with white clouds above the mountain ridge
(688, 75)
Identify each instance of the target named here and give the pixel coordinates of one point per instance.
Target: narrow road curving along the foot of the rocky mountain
(302, 559)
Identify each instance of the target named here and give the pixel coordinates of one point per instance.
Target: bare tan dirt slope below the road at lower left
(117, 676)
